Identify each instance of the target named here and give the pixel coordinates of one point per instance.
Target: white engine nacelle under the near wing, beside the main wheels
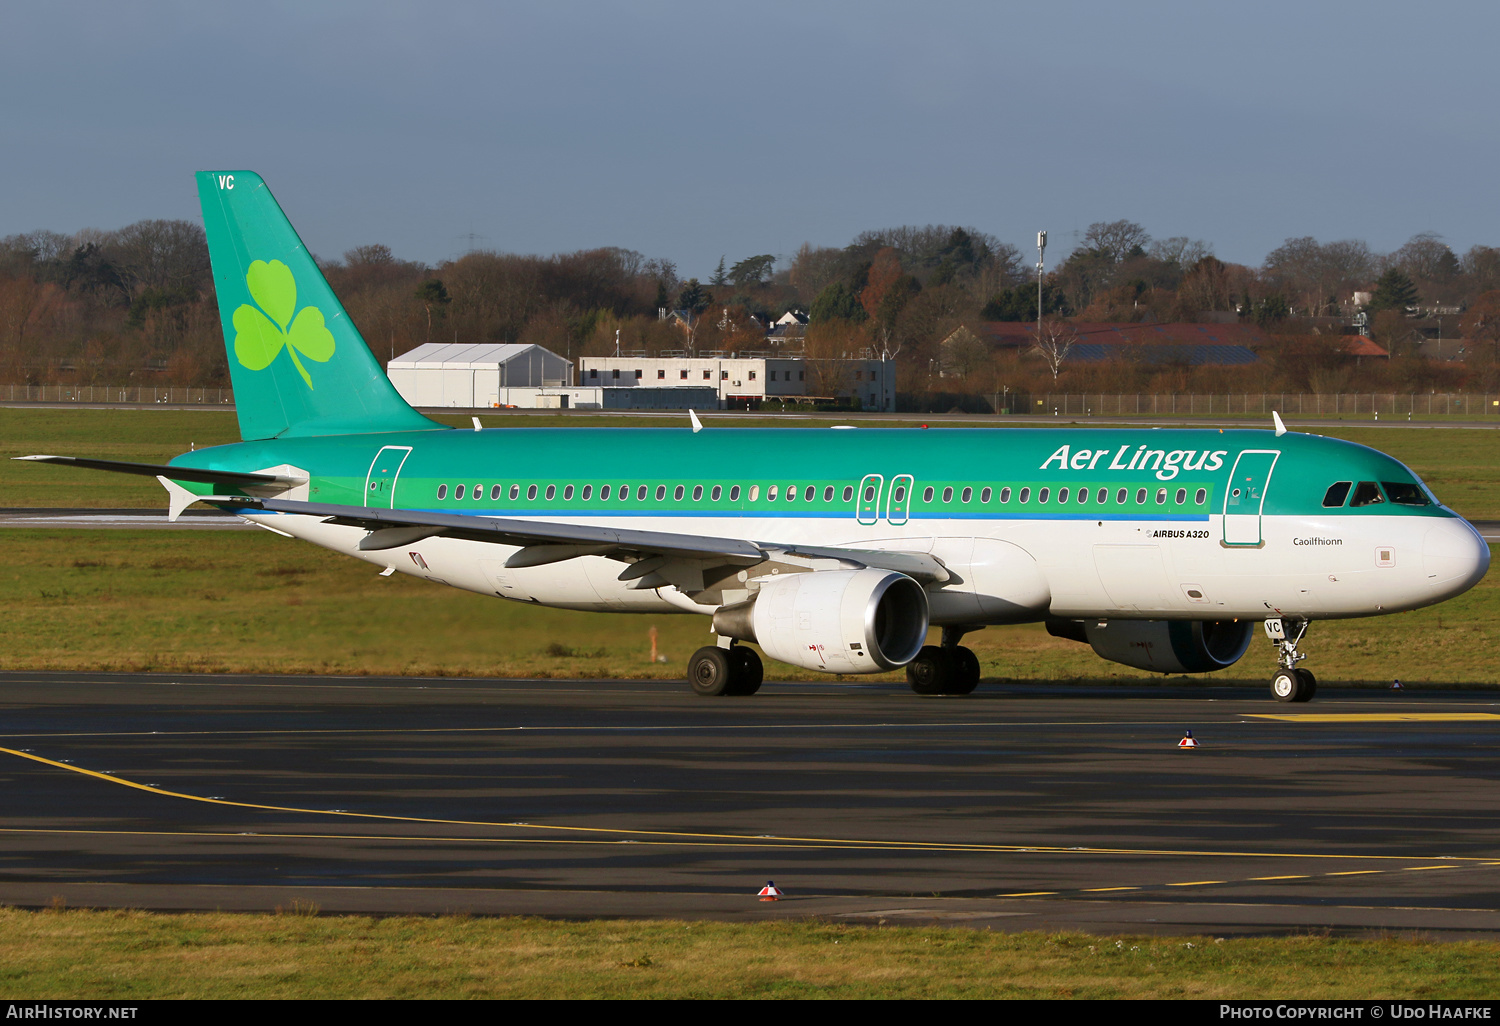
(838, 622)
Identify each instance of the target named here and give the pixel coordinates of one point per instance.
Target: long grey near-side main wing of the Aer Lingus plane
(545, 542)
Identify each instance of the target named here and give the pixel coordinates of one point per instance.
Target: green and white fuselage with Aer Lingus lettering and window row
(1033, 523)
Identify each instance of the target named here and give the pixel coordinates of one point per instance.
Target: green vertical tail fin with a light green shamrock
(298, 364)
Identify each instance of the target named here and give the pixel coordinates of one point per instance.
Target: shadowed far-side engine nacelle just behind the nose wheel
(1165, 646)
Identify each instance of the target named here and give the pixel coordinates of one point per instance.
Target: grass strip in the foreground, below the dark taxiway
(145, 956)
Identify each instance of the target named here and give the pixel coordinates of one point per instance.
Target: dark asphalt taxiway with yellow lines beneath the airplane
(1016, 808)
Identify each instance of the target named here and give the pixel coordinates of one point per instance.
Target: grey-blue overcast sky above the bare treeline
(691, 131)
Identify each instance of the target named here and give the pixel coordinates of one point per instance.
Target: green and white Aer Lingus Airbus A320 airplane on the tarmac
(835, 551)
